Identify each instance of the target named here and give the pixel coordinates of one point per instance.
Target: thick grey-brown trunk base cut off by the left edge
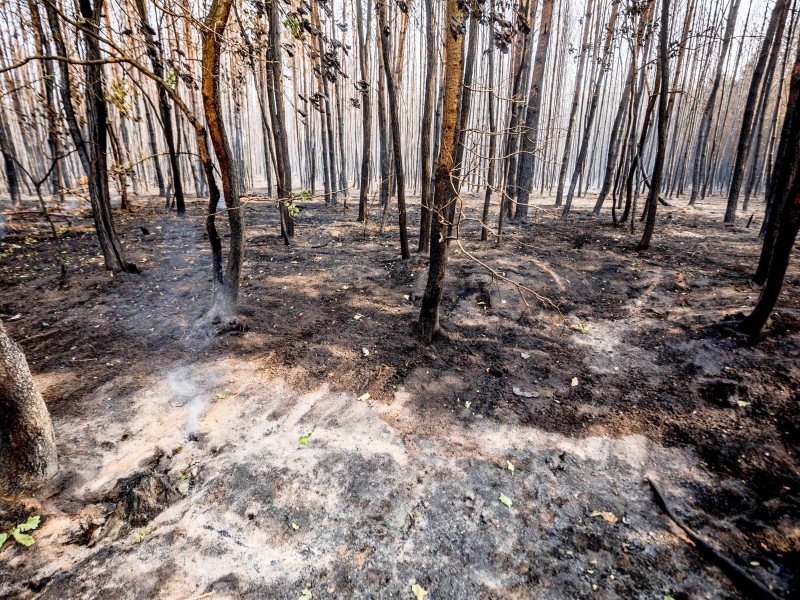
(27, 442)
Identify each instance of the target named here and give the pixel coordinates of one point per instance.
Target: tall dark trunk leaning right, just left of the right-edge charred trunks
(776, 25)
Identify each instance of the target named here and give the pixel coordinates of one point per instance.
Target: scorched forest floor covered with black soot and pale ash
(182, 470)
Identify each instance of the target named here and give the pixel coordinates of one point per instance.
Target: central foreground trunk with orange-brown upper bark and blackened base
(444, 193)
